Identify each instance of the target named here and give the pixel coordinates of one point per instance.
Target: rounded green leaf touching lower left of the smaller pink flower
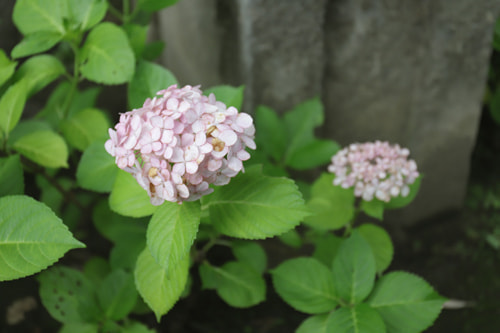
(332, 206)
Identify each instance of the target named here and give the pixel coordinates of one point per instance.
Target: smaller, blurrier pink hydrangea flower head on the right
(375, 170)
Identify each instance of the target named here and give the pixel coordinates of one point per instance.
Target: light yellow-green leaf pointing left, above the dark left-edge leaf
(43, 147)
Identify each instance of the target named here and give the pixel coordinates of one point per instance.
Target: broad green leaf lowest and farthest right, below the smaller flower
(406, 302)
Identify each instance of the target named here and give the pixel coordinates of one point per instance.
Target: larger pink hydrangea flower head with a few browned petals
(180, 142)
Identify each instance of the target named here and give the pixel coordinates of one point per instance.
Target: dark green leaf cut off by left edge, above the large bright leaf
(11, 176)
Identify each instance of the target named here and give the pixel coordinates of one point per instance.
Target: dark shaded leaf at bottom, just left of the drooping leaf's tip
(117, 295)
